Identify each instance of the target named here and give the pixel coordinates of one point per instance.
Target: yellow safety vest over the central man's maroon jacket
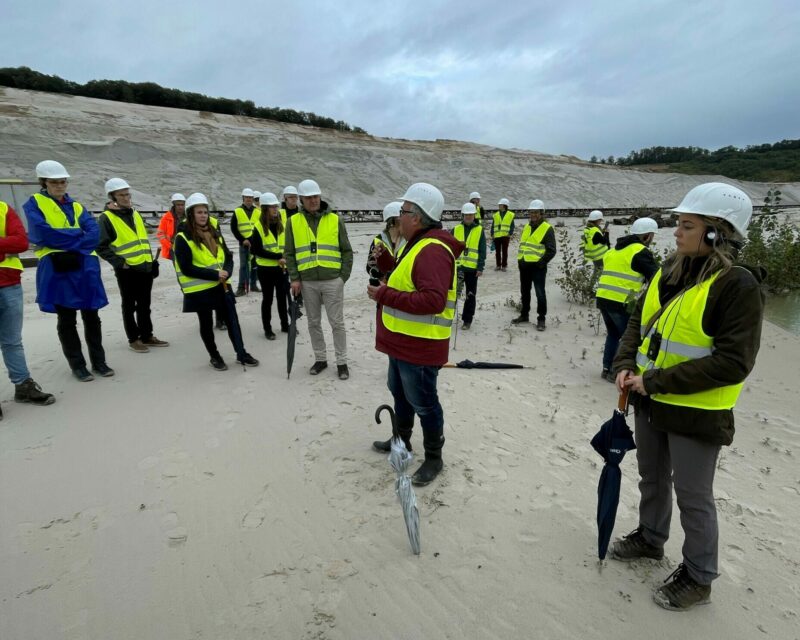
(430, 326)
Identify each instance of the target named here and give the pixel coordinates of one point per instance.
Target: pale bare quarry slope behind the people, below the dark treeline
(161, 151)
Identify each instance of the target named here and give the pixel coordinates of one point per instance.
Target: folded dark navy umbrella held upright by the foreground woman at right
(612, 442)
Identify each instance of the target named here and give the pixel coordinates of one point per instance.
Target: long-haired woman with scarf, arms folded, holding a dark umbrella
(204, 264)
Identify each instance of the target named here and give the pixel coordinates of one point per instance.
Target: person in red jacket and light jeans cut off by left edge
(13, 241)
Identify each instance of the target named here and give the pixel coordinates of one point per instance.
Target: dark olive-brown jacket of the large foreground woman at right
(732, 317)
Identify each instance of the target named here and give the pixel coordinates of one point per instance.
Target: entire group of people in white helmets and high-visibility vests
(681, 337)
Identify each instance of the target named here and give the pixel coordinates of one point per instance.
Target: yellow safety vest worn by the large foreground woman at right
(682, 339)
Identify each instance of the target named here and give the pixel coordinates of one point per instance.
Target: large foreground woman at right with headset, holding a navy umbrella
(690, 343)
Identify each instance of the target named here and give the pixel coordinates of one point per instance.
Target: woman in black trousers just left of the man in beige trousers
(267, 243)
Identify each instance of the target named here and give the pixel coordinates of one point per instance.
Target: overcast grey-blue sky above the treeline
(578, 78)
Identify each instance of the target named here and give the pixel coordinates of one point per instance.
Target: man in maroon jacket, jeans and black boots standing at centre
(416, 307)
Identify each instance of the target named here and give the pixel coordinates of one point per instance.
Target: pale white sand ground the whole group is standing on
(173, 502)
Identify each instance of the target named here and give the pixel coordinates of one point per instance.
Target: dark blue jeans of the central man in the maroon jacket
(414, 389)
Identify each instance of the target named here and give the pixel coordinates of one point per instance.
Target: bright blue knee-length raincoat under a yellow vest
(79, 289)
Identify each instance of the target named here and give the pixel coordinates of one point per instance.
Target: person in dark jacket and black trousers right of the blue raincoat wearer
(124, 244)
